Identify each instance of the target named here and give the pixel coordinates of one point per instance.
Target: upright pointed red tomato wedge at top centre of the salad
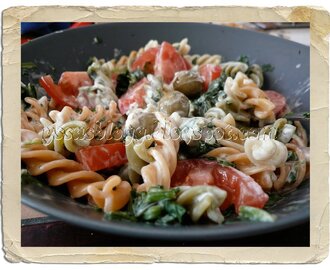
(168, 61)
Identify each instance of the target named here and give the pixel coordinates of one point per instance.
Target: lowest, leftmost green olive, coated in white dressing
(140, 124)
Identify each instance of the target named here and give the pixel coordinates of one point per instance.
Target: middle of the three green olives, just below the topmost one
(174, 102)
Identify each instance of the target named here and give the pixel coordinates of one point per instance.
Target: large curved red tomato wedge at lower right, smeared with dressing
(241, 188)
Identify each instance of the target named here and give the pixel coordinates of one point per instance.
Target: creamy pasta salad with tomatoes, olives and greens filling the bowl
(164, 136)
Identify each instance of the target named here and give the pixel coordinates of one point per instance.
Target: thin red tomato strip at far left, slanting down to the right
(55, 92)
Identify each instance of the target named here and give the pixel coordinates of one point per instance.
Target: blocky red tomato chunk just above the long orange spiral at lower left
(105, 156)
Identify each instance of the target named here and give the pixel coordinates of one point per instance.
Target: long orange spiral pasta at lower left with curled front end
(110, 195)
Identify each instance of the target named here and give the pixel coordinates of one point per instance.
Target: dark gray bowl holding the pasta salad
(71, 49)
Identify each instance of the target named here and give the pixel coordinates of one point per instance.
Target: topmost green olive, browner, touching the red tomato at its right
(189, 83)
